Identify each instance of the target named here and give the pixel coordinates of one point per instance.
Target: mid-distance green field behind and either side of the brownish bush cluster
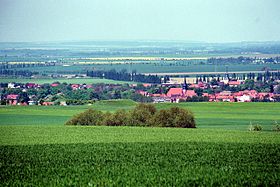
(208, 115)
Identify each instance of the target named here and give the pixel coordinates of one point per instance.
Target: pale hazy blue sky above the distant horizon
(180, 20)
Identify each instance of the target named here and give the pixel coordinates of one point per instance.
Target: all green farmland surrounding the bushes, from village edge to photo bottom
(37, 149)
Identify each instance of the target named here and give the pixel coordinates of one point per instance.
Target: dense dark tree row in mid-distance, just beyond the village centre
(123, 75)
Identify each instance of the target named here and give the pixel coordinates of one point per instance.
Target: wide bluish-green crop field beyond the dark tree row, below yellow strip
(151, 67)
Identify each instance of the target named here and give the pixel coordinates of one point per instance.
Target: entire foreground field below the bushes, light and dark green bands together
(134, 156)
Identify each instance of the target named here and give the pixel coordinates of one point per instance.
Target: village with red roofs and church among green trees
(171, 91)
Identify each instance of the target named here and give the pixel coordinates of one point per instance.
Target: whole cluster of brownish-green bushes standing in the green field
(141, 115)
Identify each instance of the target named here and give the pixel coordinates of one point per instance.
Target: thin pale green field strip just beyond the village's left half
(62, 80)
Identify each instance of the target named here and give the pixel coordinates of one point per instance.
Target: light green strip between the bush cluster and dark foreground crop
(49, 134)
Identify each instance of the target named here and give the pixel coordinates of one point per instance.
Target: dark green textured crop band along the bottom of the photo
(141, 164)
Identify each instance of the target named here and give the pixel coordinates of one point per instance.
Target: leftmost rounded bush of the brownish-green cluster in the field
(89, 117)
